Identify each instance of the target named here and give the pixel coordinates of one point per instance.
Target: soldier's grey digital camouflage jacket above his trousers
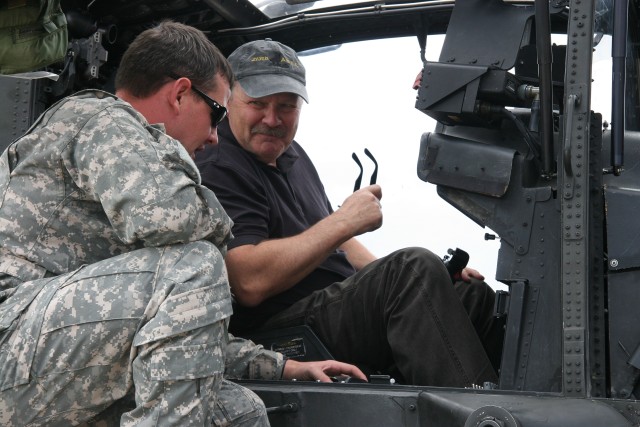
(93, 180)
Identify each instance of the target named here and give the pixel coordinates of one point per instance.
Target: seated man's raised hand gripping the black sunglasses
(362, 211)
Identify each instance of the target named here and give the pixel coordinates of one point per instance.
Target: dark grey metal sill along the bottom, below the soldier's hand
(346, 405)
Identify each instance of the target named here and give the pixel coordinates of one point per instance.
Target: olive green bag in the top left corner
(33, 34)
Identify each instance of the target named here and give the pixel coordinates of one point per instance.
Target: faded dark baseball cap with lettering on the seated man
(265, 67)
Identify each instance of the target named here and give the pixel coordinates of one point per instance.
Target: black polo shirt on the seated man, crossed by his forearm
(266, 202)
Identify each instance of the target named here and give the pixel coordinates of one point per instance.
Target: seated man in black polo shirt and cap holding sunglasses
(295, 261)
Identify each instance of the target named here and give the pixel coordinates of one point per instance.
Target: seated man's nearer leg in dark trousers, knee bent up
(400, 312)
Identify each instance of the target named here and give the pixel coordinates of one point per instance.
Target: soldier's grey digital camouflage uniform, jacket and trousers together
(112, 276)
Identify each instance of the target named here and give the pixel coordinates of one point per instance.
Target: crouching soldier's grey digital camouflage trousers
(152, 322)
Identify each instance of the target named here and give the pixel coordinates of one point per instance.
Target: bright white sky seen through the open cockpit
(361, 97)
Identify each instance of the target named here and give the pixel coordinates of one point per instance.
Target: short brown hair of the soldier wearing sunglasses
(170, 49)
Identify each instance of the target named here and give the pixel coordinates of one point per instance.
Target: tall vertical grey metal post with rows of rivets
(574, 195)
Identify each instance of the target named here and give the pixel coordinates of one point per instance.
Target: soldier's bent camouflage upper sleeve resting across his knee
(147, 184)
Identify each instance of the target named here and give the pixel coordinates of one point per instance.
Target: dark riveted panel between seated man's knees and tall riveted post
(526, 220)
